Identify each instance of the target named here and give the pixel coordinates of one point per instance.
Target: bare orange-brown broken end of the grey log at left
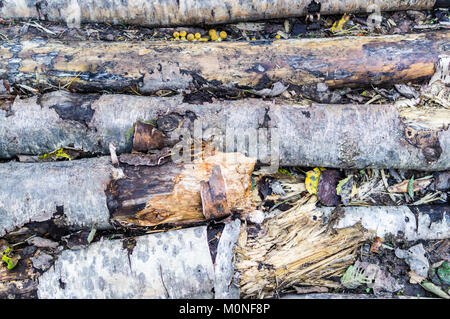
(171, 193)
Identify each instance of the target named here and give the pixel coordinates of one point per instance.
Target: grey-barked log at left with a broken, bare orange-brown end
(81, 194)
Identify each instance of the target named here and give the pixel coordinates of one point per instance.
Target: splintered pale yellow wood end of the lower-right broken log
(295, 248)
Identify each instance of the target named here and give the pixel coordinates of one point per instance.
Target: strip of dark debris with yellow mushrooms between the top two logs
(313, 25)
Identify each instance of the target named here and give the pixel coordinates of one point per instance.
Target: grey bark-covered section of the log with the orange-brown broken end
(31, 192)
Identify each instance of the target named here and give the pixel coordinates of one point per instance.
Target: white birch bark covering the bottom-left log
(175, 264)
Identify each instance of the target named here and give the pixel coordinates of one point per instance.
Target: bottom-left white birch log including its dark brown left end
(174, 264)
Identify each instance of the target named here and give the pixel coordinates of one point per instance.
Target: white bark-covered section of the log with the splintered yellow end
(424, 223)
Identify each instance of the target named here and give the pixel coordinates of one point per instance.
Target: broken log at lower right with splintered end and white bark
(307, 245)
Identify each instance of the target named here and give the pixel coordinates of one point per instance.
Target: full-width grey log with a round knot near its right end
(350, 136)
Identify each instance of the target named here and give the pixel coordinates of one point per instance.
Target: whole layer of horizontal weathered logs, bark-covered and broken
(166, 181)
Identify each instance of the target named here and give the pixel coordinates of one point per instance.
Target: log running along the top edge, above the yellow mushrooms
(187, 12)
